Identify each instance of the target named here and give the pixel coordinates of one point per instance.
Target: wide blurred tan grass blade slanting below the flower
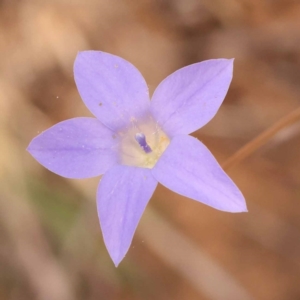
(195, 265)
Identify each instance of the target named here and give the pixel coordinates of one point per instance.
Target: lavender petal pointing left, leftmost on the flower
(76, 148)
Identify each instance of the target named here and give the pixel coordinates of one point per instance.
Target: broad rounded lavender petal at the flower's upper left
(111, 87)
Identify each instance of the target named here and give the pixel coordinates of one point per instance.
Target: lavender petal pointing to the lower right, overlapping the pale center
(188, 168)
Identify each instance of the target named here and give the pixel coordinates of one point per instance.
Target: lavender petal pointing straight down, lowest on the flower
(123, 194)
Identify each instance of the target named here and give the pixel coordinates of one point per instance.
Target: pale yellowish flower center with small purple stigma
(142, 143)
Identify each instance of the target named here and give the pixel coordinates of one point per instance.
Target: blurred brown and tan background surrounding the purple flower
(51, 245)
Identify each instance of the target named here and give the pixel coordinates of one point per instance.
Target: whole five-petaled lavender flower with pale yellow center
(137, 143)
